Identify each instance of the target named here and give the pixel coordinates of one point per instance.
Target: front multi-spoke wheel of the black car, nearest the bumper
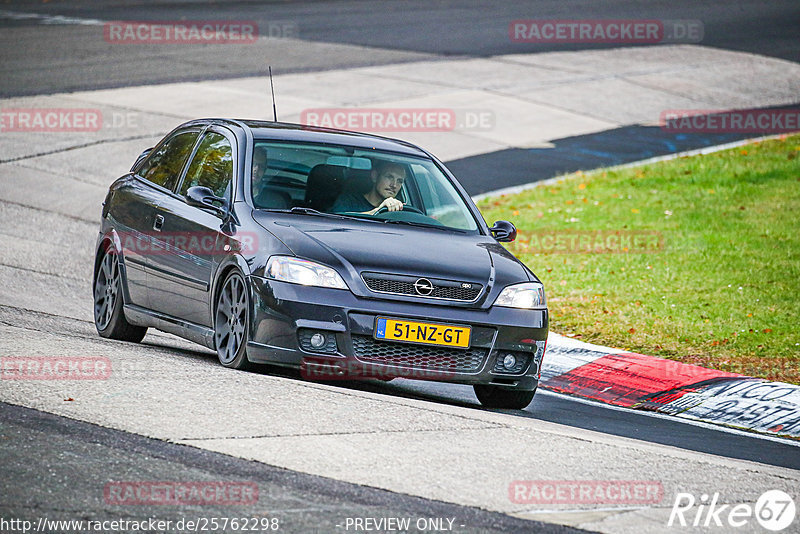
(231, 319)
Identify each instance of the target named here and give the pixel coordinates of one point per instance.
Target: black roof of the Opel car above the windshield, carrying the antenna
(286, 131)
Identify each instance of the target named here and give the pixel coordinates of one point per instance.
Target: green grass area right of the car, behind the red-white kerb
(722, 291)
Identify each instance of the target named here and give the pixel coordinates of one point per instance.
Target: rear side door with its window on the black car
(135, 204)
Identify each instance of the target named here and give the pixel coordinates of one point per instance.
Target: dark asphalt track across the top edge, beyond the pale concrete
(401, 31)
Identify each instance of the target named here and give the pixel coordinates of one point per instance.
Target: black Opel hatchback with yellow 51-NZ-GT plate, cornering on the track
(342, 254)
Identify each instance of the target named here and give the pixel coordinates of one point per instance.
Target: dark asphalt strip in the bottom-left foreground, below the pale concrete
(80, 453)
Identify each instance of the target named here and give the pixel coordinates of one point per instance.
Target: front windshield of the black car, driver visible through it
(355, 182)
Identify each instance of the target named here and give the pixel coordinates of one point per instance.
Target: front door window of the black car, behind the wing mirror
(212, 166)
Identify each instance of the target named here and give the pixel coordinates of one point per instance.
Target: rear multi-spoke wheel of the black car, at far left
(109, 317)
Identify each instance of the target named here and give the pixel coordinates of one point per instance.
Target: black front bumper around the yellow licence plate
(282, 312)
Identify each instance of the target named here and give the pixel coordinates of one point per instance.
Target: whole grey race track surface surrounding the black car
(321, 454)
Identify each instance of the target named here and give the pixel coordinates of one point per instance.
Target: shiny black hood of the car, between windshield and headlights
(354, 247)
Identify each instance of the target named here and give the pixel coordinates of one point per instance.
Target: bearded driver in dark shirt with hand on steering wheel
(387, 181)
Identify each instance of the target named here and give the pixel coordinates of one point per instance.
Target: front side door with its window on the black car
(181, 277)
